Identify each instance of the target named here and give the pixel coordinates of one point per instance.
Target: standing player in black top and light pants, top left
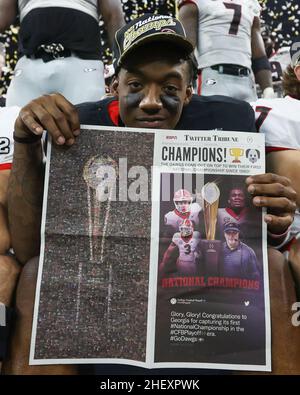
(60, 47)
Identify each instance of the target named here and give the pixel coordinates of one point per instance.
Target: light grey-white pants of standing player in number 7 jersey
(239, 87)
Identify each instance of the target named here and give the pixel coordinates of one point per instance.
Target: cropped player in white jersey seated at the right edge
(279, 120)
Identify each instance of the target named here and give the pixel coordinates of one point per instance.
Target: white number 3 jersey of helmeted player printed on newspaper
(188, 248)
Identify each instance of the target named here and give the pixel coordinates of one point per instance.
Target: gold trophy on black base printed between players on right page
(211, 248)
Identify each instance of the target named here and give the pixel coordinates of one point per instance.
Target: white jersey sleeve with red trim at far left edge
(8, 116)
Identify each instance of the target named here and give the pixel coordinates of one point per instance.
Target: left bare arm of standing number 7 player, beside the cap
(188, 15)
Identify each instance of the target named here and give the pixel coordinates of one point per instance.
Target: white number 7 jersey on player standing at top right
(224, 31)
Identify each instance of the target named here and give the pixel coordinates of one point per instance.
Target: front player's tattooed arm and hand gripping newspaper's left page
(25, 192)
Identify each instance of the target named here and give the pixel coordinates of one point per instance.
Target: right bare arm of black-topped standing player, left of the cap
(113, 17)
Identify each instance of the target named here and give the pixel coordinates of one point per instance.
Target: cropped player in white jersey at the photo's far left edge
(9, 269)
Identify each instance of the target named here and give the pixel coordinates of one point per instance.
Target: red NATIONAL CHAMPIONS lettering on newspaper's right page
(219, 282)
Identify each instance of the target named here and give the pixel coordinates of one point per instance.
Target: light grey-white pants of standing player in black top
(79, 80)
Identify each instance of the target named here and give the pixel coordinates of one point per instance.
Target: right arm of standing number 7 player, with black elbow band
(260, 63)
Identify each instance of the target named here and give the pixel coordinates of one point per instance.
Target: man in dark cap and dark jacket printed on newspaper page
(239, 260)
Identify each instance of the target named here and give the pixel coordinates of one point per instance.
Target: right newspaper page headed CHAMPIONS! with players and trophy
(212, 307)
